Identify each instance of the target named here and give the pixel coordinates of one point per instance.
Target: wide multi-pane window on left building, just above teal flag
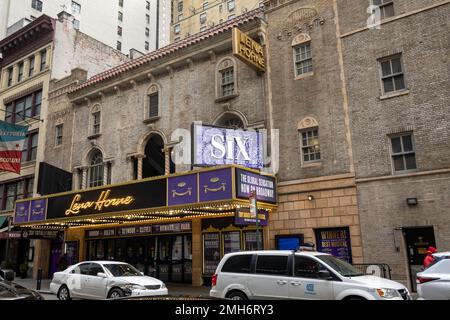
(23, 108)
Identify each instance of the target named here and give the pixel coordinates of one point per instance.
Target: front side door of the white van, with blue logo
(306, 282)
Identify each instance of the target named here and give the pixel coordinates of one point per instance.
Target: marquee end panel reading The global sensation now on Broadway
(264, 186)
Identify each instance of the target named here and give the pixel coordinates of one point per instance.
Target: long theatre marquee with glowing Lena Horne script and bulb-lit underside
(214, 191)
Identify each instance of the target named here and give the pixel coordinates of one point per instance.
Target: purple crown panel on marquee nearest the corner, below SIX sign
(216, 185)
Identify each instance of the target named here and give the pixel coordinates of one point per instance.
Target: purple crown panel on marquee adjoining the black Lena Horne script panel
(182, 190)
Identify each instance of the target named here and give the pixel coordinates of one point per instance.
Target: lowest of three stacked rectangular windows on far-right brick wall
(403, 153)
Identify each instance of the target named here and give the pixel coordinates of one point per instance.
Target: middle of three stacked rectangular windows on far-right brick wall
(392, 75)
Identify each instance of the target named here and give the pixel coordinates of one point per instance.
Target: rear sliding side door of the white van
(271, 278)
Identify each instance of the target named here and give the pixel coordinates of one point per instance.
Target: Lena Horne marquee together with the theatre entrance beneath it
(174, 227)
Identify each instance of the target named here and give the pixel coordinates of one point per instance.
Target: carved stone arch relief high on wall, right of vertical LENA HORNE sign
(300, 21)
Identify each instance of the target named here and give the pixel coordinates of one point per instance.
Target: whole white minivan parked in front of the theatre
(298, 275)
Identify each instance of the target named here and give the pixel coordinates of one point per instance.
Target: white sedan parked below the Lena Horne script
(104, 280)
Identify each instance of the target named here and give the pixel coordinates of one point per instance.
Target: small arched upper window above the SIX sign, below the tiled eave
(226, 84)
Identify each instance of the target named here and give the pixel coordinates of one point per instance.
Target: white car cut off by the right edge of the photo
(434, 282)
